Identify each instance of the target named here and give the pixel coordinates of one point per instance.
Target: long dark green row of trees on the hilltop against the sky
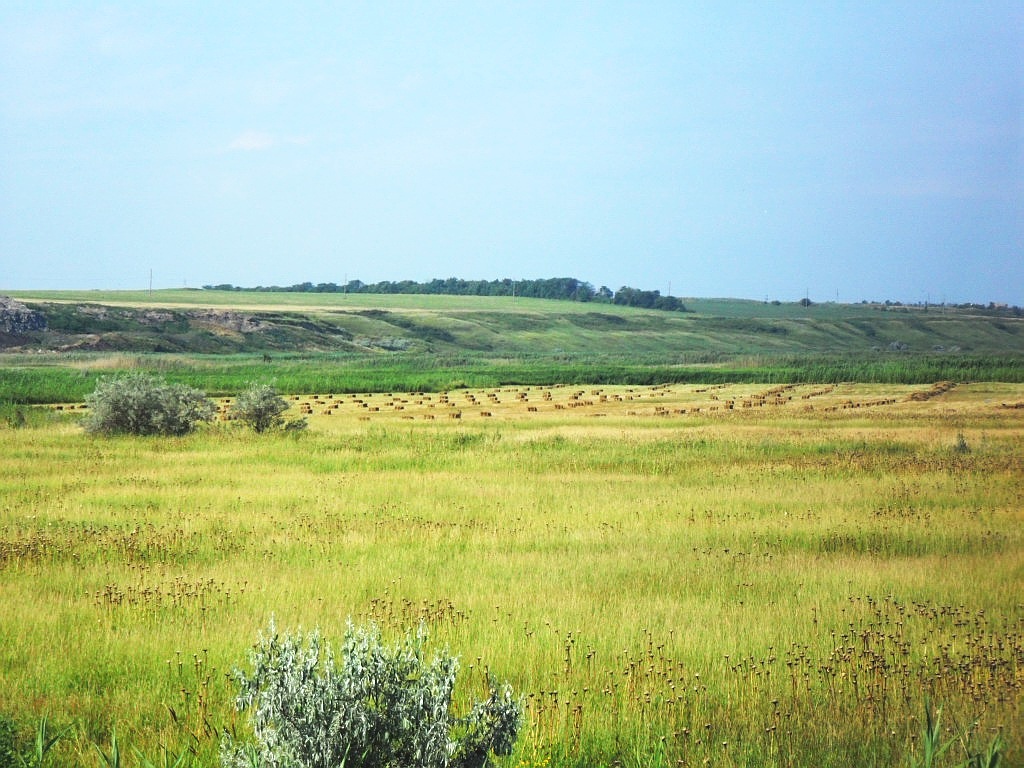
(566, 289)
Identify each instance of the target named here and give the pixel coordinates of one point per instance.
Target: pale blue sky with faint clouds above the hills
(836, 151)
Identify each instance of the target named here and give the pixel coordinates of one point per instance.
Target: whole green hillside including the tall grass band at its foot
(306, 343)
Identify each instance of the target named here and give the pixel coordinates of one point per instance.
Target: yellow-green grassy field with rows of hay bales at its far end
(674, 575)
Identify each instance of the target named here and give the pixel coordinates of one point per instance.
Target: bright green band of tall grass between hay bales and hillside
(70, 379)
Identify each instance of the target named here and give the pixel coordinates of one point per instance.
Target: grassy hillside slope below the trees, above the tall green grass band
(407, 328)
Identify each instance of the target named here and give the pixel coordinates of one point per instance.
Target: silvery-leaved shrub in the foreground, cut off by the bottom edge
(379, 707)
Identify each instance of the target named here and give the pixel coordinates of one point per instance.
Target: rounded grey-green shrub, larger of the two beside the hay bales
(144, 405)
